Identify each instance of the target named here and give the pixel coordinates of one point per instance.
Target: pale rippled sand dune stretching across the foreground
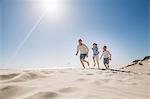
(128, 83)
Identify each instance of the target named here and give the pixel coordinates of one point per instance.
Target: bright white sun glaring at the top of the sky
(52, 9)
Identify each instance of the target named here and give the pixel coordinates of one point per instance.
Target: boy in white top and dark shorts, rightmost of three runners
(107, 56)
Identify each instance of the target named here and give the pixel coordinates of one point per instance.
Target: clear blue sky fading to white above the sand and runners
(122, 25)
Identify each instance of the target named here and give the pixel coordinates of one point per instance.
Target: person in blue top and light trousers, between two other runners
(95, 55)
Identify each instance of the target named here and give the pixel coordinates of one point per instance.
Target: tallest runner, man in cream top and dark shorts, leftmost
(83, 52)
